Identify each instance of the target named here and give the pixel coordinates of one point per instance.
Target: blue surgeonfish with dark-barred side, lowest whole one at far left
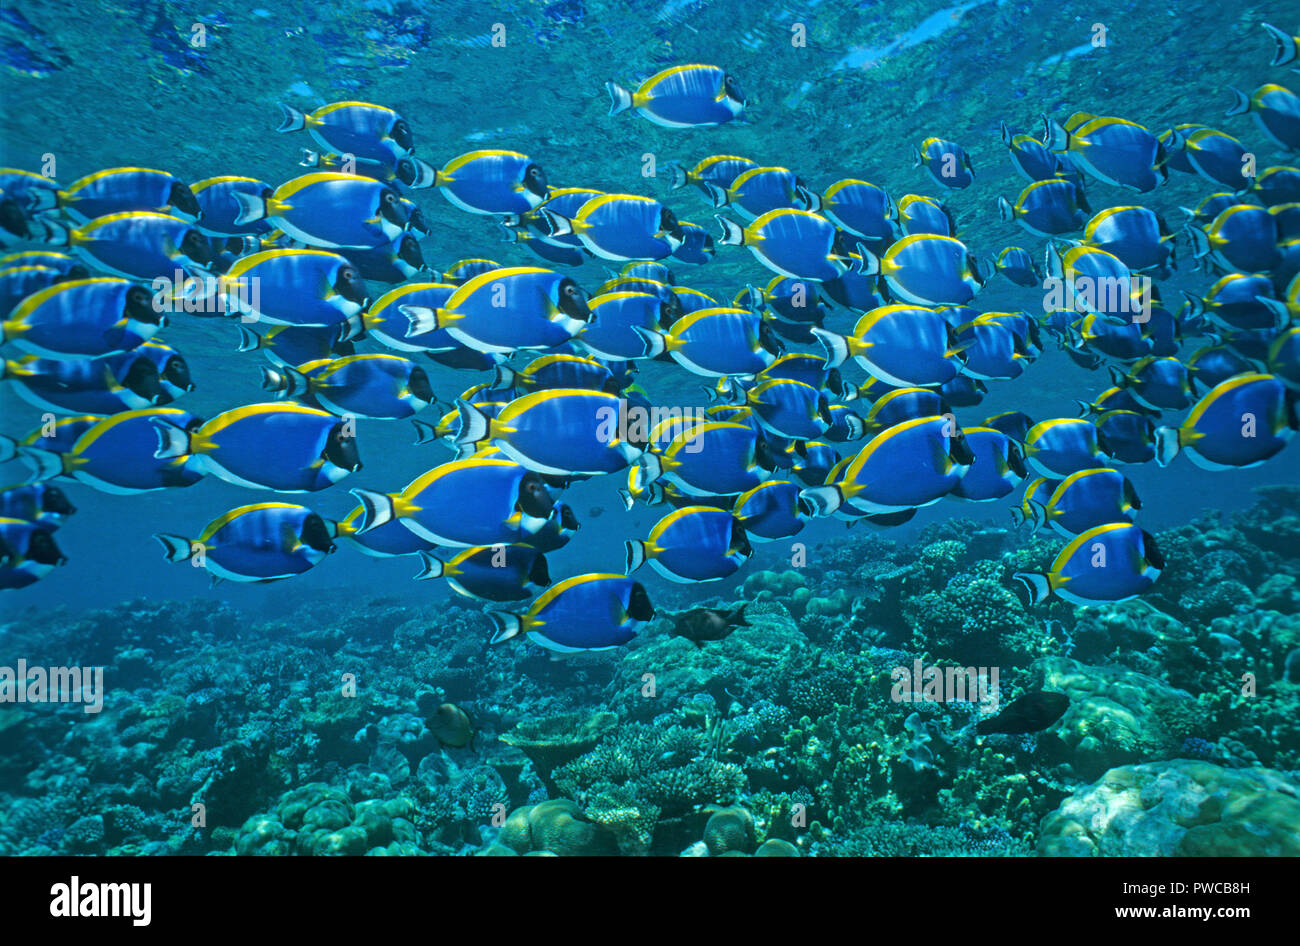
(257, 544)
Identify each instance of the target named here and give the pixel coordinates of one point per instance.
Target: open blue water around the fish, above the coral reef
(97, 88)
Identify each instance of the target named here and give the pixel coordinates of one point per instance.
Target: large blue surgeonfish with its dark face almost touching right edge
(1240, 423)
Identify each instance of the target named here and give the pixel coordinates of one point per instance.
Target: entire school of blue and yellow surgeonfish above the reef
(324, 275)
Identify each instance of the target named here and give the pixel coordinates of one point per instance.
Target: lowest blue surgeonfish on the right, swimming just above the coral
(1111, 563)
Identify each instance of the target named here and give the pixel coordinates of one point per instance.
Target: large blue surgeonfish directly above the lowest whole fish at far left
(284, 446)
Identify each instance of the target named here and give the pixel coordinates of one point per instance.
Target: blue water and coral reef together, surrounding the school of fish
(352, 710)
